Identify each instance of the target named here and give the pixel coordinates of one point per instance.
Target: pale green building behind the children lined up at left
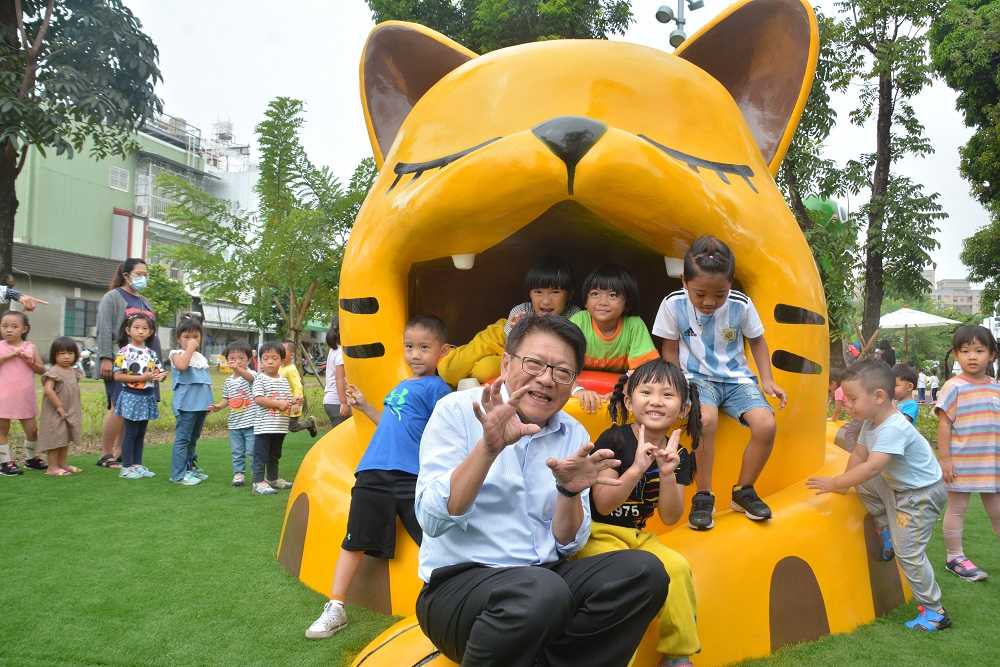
(79, 218)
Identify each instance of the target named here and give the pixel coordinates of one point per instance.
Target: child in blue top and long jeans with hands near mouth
(192, 401)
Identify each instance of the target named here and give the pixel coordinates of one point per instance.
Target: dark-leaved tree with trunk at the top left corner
(72, 73)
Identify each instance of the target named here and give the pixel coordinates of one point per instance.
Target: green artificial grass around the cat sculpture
(104, 571)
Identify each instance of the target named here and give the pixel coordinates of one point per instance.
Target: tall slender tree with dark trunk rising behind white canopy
(889, 39)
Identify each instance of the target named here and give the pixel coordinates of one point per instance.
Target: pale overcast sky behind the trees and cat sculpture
(225, 59)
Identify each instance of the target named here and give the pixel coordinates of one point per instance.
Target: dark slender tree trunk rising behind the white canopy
(875, 244)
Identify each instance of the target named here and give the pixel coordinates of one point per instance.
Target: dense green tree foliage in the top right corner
(965, 50)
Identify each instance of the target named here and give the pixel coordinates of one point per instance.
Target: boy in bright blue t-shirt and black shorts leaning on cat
(386, 478)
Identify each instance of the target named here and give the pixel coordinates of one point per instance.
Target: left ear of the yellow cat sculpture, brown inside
(400, 62)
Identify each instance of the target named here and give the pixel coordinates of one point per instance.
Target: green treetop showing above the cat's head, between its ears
(486, 25)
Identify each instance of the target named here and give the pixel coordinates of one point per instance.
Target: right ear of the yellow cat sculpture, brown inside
(764, 52)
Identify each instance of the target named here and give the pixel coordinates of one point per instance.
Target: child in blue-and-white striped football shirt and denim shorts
(703, 327)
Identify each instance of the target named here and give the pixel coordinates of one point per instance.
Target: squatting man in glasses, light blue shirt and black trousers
(503, 500)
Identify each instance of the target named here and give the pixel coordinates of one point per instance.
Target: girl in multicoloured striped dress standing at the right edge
(968, 413)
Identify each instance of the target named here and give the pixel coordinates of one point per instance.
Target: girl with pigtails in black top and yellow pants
(659, 398)
